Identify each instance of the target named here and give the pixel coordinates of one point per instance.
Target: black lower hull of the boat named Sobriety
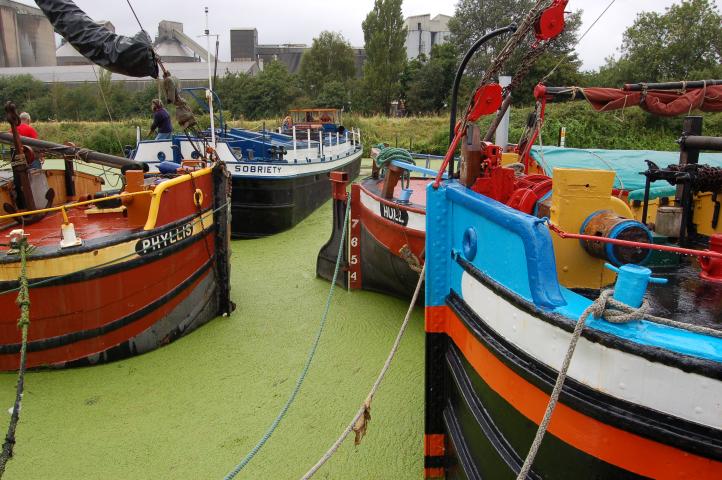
(262, 207)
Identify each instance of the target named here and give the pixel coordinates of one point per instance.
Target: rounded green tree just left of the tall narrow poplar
(330, 59)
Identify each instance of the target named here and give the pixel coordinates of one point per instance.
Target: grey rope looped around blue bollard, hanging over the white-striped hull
(613, 311)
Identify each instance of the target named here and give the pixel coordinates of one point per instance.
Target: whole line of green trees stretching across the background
(682, 43)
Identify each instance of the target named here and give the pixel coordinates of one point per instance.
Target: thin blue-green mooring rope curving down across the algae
(312, 352)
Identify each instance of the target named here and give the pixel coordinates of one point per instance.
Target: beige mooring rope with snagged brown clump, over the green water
(357, 423)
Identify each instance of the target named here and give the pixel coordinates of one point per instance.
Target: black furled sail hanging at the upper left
(132, 56)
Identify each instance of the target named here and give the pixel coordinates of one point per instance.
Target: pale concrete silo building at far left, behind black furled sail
(26, 36)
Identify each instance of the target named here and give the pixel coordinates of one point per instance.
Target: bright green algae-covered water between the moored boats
(194, 408)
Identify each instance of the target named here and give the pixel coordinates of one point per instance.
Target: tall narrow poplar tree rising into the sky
(385, 38)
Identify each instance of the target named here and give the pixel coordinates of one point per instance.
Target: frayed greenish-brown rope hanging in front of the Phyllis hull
(23, 301)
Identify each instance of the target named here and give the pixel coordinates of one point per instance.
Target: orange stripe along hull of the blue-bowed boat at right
(610, 444)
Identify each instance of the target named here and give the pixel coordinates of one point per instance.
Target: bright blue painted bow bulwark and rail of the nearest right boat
(515, 250)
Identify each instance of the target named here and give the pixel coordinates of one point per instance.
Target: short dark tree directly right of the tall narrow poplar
(431, 81)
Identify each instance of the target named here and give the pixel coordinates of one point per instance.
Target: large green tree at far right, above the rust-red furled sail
(686, 39)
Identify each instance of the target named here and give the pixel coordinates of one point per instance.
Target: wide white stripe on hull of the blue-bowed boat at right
(625, 376)
